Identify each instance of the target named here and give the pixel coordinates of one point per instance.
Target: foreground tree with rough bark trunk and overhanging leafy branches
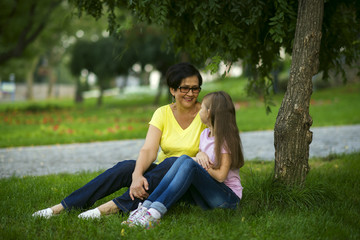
(254, 31)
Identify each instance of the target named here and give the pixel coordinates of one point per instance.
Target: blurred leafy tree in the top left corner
(22, 24)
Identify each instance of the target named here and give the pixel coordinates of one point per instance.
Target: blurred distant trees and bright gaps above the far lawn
(48, 51)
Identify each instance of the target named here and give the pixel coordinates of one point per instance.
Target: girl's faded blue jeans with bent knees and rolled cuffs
(184, 175)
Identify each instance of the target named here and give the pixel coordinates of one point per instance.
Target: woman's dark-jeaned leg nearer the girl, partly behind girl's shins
(153, 176)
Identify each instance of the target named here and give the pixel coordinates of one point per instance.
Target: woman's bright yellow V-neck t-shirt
(176, 141)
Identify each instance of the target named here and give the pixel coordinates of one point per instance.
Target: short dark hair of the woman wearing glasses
(176, 73)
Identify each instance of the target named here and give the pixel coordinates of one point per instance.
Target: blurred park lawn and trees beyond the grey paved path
(65, 78)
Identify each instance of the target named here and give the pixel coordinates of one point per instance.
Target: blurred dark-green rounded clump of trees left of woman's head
(110, 57)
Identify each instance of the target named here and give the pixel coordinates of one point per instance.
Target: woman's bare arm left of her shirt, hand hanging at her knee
(147, 155)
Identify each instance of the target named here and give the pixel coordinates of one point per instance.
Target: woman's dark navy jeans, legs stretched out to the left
(114, 179)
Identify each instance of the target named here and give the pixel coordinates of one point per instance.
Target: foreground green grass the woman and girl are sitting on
(328, 207)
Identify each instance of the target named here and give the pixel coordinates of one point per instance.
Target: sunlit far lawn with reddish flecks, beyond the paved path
(62, 121)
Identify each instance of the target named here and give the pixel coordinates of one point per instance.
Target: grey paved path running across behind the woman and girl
(72, 158)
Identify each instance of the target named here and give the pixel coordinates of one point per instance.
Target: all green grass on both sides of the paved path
(327, 207)
